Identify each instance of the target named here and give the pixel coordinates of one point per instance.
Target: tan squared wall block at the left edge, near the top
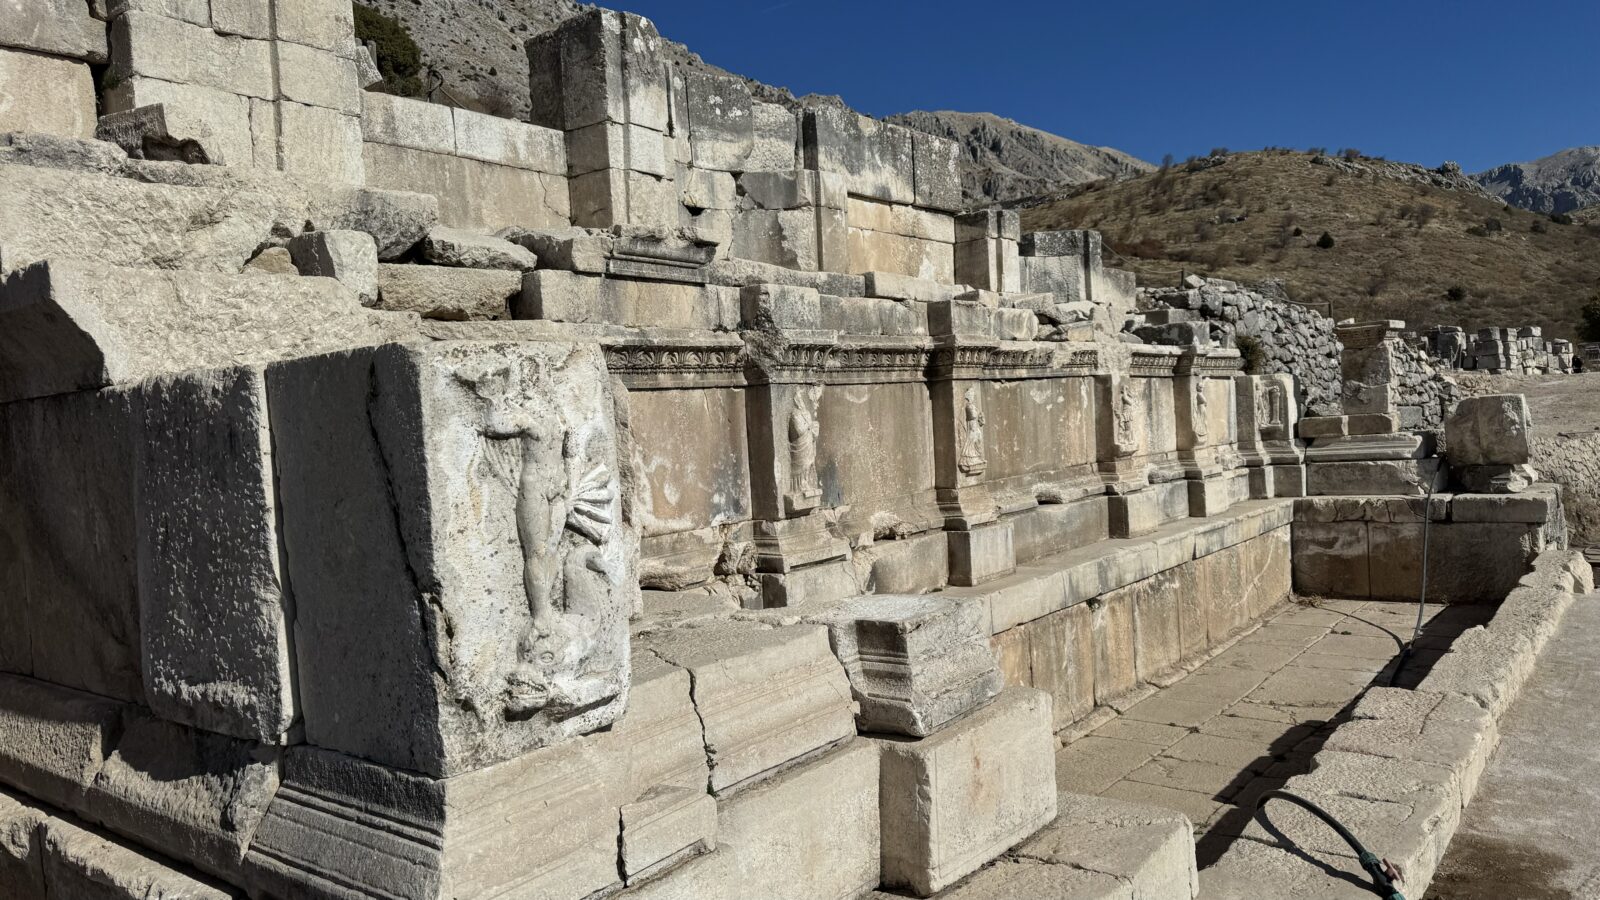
(41, 94)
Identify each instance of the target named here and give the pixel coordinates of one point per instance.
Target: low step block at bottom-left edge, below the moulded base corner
(86, 866)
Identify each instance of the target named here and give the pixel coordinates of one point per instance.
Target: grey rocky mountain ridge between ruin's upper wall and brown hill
(1004, 161)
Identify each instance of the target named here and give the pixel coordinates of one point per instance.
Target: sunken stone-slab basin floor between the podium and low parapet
(1252, 717)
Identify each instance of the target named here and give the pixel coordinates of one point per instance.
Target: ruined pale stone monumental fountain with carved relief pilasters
(673, 496)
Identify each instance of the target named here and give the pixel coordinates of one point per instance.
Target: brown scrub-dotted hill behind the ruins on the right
(1402, 249)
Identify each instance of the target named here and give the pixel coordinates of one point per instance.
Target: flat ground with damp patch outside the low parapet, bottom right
(1534, 830)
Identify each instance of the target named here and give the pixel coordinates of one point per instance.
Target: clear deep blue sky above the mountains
(1470, 81)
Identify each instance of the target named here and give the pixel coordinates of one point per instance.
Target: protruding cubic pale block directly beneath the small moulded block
(962, 797)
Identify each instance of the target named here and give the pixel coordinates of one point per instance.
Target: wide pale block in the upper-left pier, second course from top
(156, 47)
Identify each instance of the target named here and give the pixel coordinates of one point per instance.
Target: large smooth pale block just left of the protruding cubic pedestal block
(815, 826)
